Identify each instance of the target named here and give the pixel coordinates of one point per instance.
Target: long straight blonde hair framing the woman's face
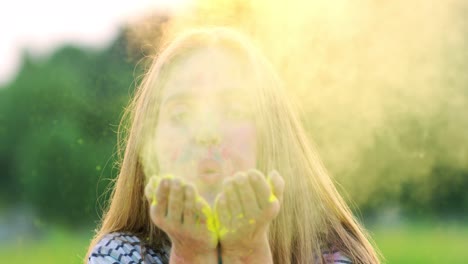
(313, 218)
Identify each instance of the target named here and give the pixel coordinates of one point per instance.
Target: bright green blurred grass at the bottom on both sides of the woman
(415, 243)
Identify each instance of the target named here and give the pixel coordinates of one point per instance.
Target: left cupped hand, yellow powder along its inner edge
(185, 217)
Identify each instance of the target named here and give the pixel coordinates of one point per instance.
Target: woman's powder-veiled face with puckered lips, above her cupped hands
(206, 131)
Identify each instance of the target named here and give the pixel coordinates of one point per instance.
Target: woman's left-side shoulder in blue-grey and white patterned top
(123, 248)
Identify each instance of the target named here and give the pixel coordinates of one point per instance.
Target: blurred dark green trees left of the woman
(57, 134)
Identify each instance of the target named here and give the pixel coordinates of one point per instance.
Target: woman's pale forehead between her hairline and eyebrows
(209, 72)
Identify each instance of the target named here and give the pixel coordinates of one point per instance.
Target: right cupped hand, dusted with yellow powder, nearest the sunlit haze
(244, 210)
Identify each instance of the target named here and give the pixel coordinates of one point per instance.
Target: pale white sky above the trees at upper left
(42, 26)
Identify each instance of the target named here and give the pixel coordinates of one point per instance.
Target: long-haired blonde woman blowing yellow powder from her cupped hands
(218, 168)
